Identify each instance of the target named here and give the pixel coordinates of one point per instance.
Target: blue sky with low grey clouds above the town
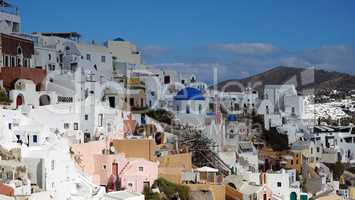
(240, 38)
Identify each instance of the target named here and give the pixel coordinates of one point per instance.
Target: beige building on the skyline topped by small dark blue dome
(124, 51)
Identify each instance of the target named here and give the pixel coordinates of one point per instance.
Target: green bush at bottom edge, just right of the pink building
(171, 189)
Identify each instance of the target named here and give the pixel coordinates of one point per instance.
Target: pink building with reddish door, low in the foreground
(114, 171)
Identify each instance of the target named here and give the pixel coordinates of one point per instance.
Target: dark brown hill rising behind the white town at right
(302, 78)
